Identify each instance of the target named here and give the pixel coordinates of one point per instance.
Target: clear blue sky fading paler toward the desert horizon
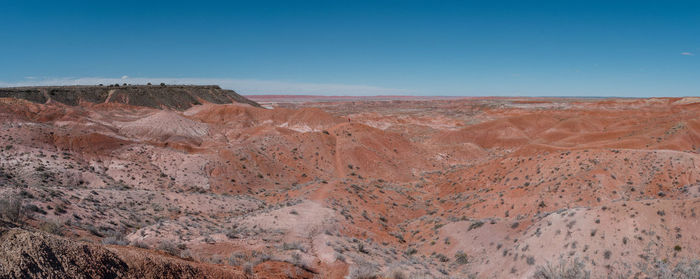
(470, 48)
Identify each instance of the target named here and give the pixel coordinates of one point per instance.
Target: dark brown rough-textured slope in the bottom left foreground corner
(27, 254)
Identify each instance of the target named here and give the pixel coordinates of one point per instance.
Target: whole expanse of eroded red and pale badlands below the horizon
(398, 188)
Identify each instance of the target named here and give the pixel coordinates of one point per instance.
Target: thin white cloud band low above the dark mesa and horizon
(242, 86)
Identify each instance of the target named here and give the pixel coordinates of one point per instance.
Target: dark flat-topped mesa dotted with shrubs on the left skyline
(177, 97)
